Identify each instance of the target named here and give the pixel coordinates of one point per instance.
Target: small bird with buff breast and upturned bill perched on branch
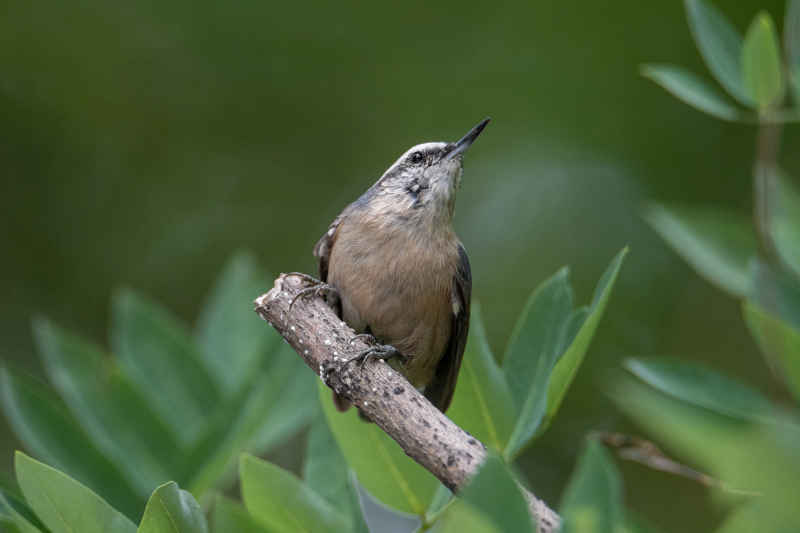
(401, 275)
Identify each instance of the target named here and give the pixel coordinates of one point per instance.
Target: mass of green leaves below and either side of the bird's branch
(107, 430)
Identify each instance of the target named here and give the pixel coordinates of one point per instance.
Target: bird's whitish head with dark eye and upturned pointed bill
(424, 180)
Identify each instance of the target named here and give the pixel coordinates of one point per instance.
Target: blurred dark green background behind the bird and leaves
(141, 144)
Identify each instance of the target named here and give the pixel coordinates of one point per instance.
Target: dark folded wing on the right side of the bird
(440, 390)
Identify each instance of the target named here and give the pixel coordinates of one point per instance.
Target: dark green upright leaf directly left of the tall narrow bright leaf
(533, 350)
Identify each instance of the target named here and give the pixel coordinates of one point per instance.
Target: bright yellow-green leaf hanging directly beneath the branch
(379, 463)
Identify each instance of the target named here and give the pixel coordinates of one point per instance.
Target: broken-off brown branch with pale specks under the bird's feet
(423, 432)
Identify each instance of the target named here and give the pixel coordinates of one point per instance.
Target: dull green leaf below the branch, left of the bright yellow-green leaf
(326, 470)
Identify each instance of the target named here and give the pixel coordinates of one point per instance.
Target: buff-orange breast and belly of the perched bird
(398, 284)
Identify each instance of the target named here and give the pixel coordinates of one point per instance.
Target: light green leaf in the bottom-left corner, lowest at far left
(63, 504)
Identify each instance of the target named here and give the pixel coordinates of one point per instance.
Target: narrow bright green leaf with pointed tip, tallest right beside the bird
(587, 320)
